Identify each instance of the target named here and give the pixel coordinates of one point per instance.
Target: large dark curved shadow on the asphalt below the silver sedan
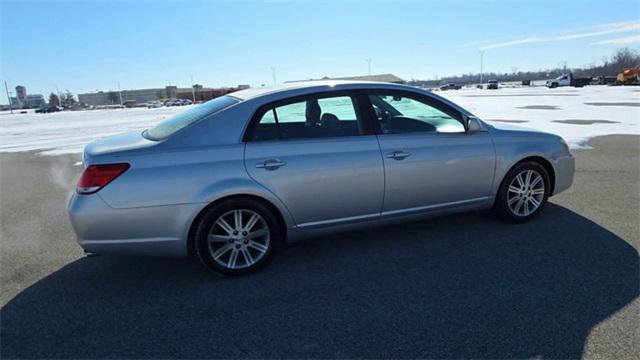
(464, 286)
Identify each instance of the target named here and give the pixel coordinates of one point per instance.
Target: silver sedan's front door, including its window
(430, 161)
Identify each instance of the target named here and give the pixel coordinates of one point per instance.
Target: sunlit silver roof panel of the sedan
(319, 85)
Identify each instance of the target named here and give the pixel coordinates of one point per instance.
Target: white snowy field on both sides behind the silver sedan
(575, 114)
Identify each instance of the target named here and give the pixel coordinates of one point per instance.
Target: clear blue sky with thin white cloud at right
(89, 45)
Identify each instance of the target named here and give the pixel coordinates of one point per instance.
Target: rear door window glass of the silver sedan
(311, 118)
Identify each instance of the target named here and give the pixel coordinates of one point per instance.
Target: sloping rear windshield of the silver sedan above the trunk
(179, 121)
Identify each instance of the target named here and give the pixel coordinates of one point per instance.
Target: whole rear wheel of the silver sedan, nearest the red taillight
(237, 237)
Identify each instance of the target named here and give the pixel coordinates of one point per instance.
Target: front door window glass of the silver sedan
(399, 114)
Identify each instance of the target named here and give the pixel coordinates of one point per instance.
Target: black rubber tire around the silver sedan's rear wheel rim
(208, 226)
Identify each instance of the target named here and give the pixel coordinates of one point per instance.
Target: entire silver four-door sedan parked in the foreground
(230, 179)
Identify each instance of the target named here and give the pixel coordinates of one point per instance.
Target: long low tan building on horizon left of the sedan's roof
(147, 95)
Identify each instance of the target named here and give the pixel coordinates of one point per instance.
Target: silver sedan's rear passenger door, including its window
(315, 154)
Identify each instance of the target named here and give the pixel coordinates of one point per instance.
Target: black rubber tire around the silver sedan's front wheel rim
(502, 207)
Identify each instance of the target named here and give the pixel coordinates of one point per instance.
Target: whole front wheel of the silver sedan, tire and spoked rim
(523, 192)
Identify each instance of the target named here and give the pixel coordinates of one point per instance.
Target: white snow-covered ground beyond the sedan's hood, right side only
(576, 114)
